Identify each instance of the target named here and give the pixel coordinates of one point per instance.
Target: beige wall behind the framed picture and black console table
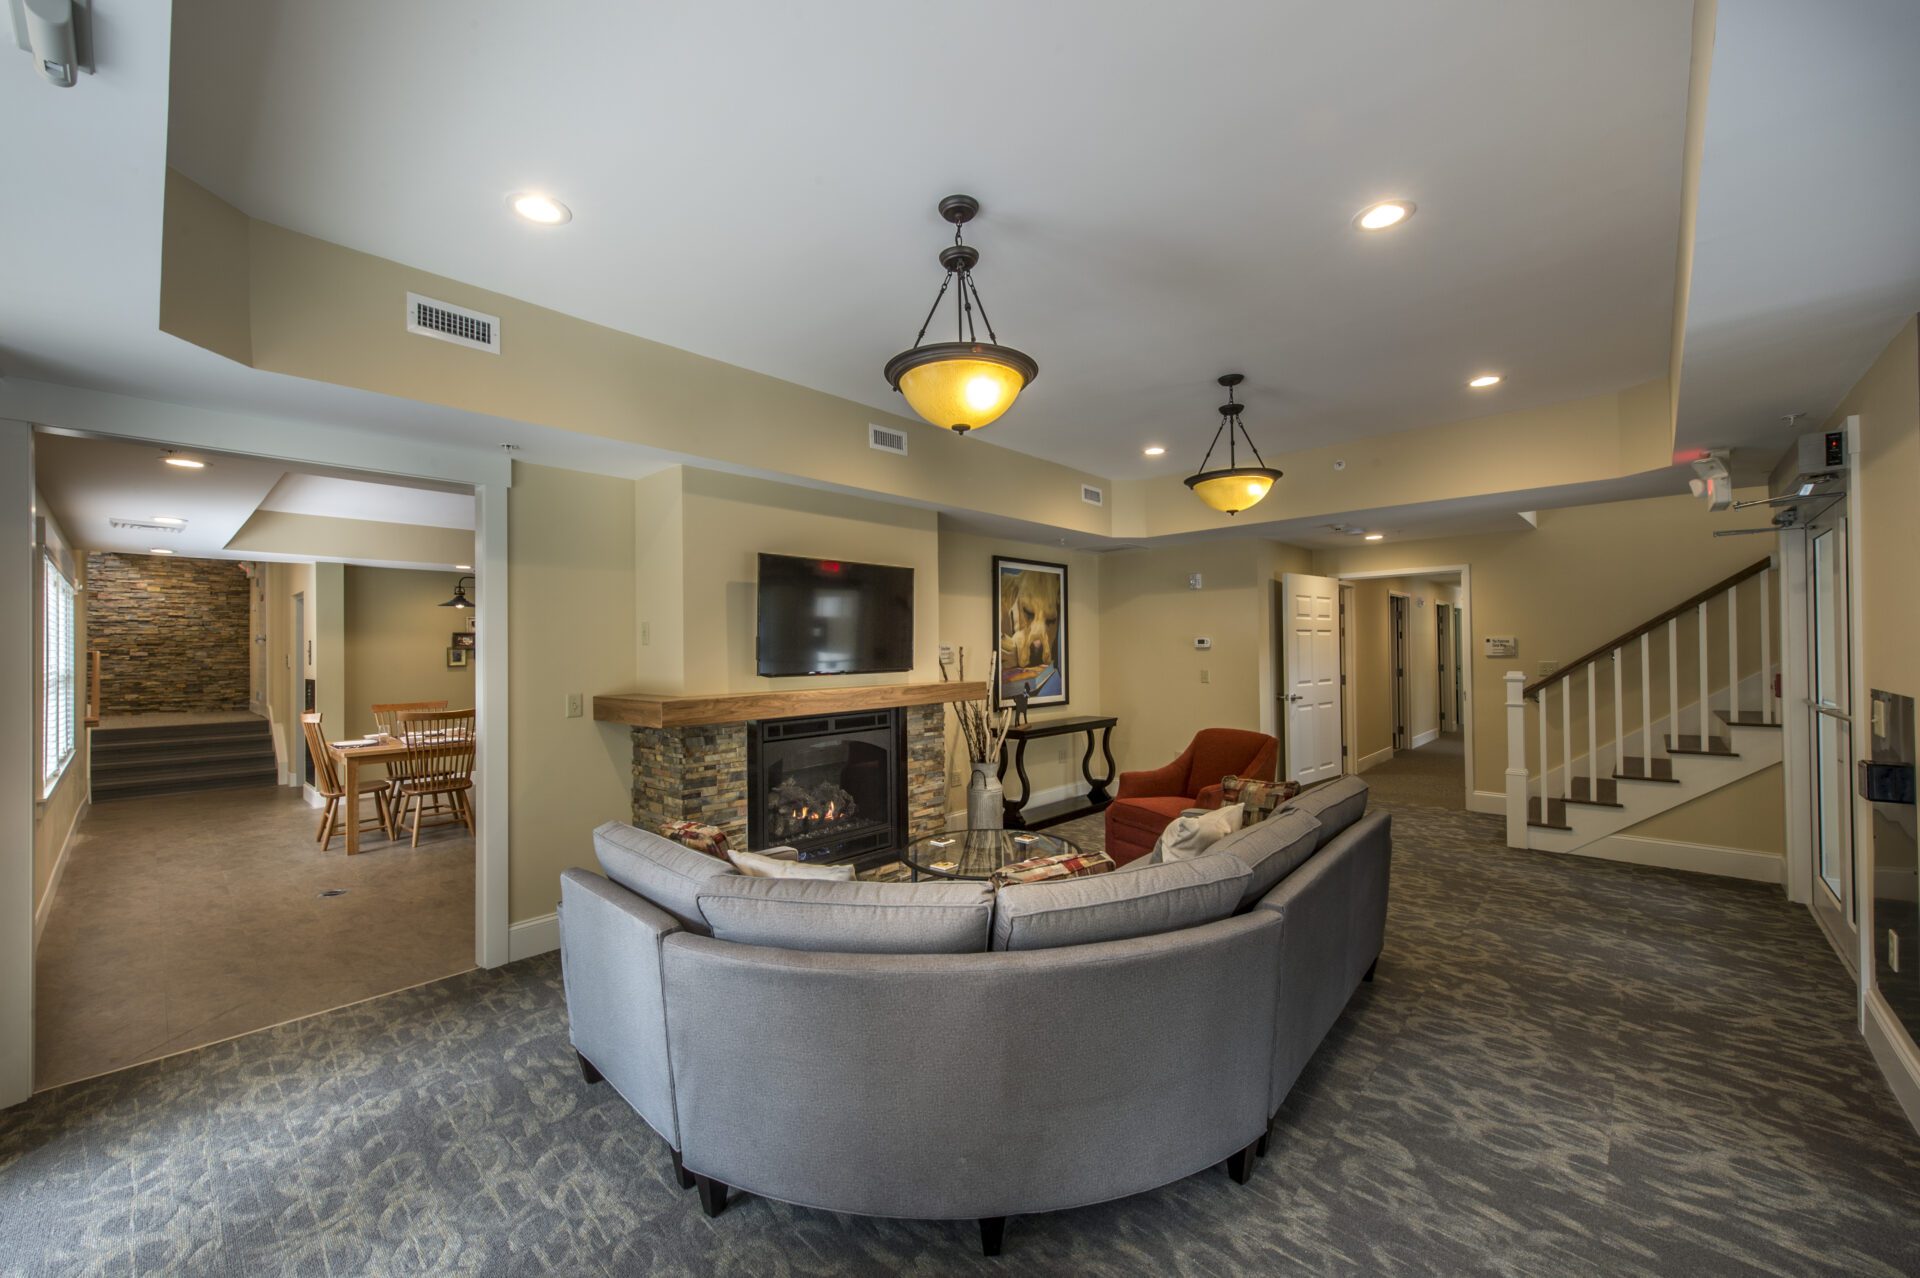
(967, 619)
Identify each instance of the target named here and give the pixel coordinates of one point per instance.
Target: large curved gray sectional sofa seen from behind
(946, 1051)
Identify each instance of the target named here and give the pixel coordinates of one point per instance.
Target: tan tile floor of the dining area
(193, 918)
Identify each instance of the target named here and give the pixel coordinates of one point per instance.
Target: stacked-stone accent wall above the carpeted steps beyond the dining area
(172, 632)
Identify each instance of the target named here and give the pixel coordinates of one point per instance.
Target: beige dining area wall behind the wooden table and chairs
(396, 644)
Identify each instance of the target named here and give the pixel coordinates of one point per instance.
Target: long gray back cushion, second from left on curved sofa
(850, 918)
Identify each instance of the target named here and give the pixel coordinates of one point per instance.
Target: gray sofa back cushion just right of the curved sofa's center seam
(1157, 899)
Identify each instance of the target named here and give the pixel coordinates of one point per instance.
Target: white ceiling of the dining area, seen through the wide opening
(87, 485)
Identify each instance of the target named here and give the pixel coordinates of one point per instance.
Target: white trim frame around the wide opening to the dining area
(68, 410)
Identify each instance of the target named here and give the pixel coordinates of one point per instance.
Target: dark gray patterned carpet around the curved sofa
(1566, 1068)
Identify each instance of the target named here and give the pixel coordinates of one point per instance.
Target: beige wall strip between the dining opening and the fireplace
(571, 630)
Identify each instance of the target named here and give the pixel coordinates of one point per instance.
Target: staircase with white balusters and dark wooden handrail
(1587, 755)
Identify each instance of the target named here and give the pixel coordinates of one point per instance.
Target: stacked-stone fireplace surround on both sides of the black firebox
(700, 774)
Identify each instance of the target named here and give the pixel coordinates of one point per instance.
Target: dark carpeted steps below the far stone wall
(133, 763)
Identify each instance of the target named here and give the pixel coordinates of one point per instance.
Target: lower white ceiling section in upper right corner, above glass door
(1806, 258)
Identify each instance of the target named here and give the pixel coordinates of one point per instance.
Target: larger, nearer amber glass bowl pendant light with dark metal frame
(967, 383)
